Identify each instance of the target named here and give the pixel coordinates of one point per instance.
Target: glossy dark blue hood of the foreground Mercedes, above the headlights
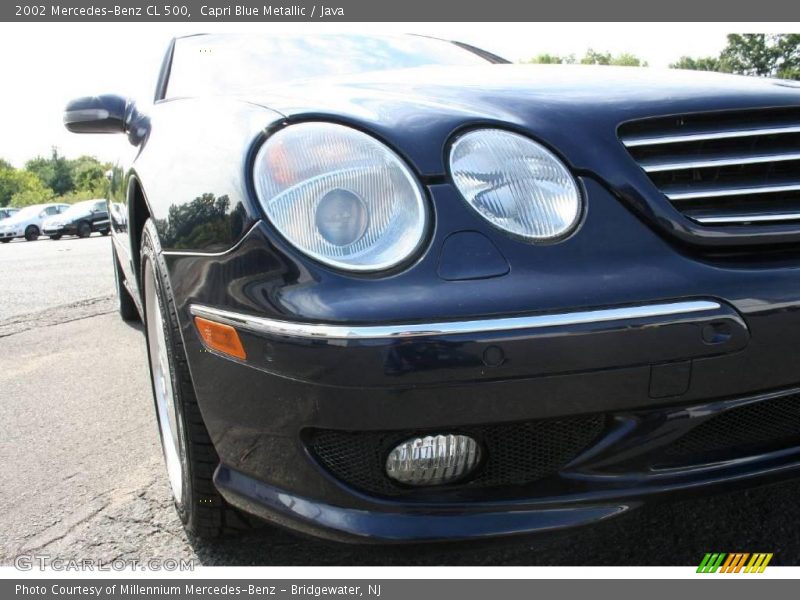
(576, 109)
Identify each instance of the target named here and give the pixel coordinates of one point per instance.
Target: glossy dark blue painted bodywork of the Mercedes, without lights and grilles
(190, 170)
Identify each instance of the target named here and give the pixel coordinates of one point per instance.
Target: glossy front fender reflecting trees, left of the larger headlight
(194, 171)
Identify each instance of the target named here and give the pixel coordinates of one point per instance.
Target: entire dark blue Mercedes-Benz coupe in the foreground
(395, 289)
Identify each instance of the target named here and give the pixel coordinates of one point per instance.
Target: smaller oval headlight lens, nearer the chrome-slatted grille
(516, 184)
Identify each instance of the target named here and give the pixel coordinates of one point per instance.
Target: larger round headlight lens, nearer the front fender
(340, 196)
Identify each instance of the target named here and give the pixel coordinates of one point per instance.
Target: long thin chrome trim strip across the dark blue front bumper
(263, 325)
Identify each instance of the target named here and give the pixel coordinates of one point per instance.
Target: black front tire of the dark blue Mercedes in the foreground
(201, 508)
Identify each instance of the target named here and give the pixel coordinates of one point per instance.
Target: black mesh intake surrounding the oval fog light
(514, 453)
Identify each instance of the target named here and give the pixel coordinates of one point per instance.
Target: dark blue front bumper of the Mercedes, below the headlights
(664, 352)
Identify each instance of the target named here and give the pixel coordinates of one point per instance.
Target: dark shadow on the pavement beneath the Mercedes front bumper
(761, 519)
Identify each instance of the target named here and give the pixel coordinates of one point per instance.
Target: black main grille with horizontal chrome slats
(724, 169)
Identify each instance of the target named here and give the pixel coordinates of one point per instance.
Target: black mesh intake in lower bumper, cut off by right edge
(745, 430)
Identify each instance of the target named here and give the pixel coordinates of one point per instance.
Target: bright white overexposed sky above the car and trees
(46, 64)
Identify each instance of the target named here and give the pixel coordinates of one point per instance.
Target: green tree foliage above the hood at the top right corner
(758, 54)
